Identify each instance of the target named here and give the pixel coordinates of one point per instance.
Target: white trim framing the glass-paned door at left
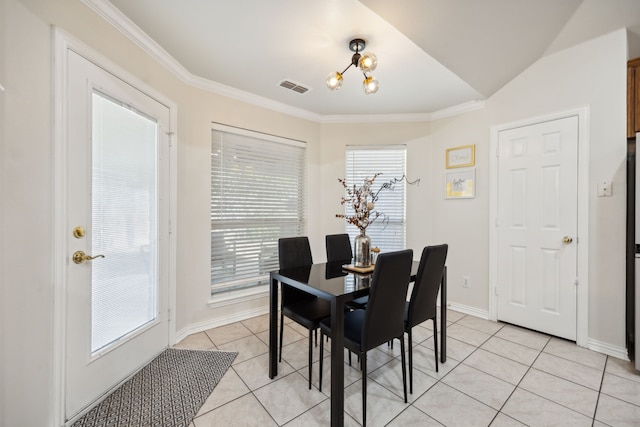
(62, 42)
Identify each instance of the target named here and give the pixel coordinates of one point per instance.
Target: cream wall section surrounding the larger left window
(194, 149)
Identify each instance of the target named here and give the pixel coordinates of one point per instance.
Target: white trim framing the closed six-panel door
(582, 304)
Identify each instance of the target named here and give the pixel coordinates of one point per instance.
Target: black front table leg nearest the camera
(337, 363)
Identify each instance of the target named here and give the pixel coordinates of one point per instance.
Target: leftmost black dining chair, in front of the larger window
(303, 308)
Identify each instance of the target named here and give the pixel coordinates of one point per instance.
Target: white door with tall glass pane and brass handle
(117, 213)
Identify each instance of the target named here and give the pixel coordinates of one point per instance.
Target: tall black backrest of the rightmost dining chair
(422, 304)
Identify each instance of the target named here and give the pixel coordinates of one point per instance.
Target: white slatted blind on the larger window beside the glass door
(257, 196)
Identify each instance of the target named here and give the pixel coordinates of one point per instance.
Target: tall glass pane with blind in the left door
(124, 222)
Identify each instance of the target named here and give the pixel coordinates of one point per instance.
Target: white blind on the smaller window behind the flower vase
(388, 231)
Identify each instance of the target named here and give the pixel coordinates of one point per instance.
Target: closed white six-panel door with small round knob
(537, 226)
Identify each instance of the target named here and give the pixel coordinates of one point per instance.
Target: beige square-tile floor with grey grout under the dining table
(496, 374)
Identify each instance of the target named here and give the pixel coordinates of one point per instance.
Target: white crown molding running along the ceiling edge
(119, 21)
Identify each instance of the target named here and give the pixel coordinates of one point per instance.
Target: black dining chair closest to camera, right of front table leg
(381, 321)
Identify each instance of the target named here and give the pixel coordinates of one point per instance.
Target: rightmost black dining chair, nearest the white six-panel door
(422, 303)
